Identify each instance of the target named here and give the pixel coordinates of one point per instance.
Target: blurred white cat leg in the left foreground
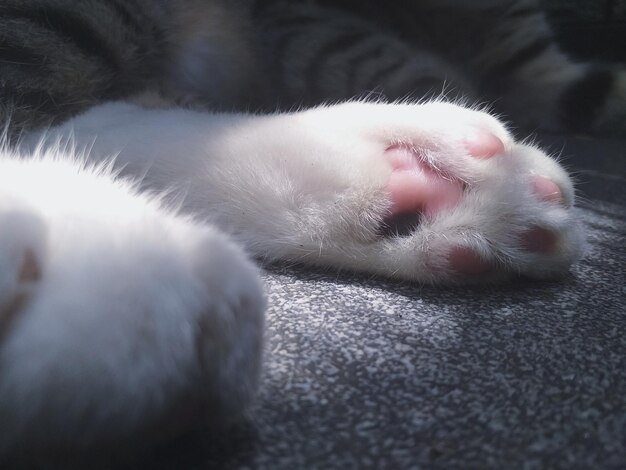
(118, 318)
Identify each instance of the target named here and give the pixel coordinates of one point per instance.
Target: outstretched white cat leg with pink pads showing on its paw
(327, 186)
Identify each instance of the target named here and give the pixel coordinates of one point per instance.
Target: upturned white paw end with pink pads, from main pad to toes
(484, 205)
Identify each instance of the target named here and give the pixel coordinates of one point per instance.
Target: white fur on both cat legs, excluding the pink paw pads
(108, 336)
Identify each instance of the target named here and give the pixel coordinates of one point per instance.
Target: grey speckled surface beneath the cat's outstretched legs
(365, 373)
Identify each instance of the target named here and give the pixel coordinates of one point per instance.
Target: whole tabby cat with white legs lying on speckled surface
(133, 173)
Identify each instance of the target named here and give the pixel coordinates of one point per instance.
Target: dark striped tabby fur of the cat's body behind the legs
(60, 57)
